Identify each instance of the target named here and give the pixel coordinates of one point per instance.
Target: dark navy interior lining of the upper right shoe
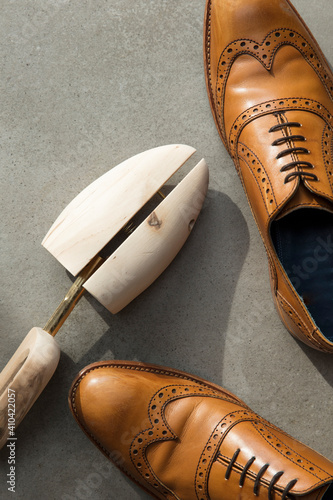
(303, 241)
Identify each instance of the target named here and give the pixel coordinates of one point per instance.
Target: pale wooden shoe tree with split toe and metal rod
(79, 235)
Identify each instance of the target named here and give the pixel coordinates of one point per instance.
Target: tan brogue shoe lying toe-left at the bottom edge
(181, 437)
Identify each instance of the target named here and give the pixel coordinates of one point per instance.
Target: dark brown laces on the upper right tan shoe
(289, 140)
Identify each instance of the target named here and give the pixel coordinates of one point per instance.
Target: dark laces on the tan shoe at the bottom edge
(261, 472)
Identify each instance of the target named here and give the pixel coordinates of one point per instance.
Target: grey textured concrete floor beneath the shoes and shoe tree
(86, 84)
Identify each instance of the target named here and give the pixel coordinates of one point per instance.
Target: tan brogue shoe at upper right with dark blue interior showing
(270, 90)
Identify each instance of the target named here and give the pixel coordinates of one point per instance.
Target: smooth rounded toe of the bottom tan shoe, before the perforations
(104, 401)
